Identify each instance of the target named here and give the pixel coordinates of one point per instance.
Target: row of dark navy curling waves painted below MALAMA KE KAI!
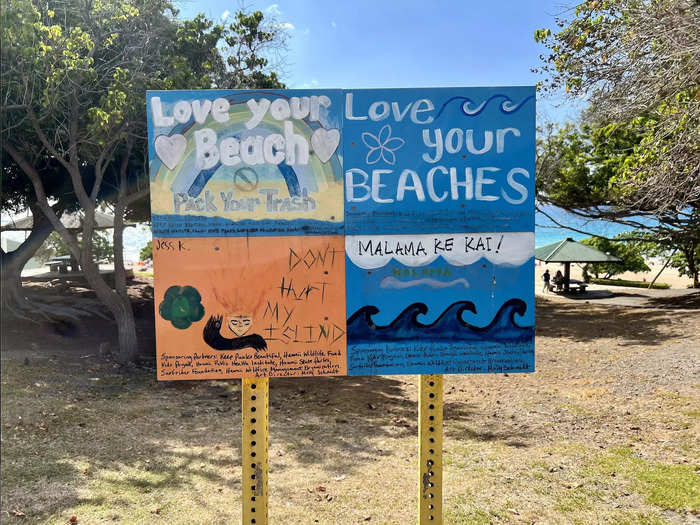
(448, 327)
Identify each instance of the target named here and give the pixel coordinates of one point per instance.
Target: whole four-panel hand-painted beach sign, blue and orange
(343, 231)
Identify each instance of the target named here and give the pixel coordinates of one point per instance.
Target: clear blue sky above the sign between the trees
(407, 43)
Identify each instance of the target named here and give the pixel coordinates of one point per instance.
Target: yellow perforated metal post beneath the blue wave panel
(430, 449)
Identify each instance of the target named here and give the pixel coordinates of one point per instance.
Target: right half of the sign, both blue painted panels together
(439, 222)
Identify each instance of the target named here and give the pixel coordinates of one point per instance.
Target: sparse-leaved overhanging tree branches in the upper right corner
(637, 62)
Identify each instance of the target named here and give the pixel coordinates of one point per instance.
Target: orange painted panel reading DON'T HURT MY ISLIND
(282, 298)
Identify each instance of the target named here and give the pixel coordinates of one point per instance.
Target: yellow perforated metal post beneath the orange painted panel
(254, 400)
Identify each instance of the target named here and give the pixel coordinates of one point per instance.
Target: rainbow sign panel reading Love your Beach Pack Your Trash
(241, 163)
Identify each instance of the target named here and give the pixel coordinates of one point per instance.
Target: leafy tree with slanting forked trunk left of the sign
(74, 76)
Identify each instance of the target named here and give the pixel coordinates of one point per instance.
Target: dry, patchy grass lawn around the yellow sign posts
(606, 431)
